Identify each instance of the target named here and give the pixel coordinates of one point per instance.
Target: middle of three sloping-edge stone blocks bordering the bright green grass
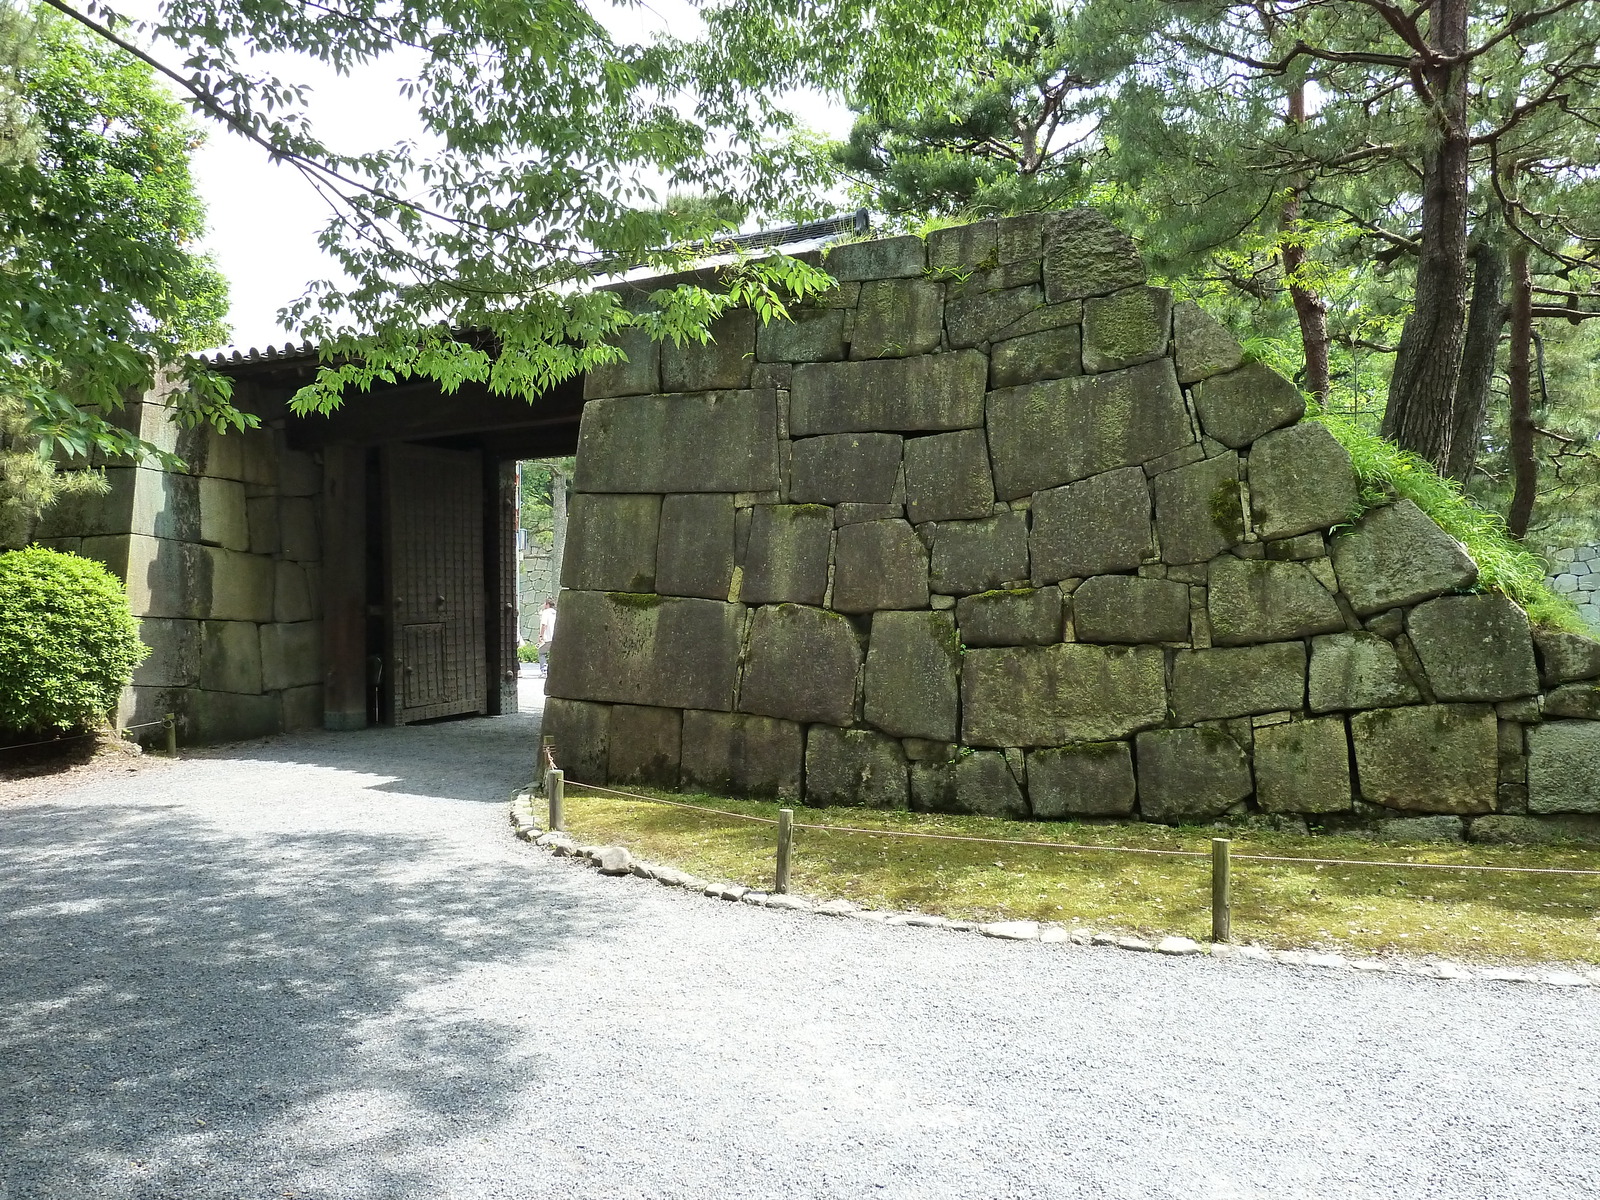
(1398, 556)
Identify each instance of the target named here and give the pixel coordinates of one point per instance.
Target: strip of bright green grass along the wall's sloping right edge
(1505, 566)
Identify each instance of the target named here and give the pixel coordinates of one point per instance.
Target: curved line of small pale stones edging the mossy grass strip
(618, 862)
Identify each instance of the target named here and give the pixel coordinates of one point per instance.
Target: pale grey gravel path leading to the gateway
(322, 969)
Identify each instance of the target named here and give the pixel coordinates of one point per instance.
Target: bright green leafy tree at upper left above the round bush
(103, 287)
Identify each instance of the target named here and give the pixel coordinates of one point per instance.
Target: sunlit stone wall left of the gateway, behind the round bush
(223, 570)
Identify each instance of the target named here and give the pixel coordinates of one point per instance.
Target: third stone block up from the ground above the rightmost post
(1258, 601)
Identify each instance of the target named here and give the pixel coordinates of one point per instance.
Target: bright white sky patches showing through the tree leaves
(265, 218)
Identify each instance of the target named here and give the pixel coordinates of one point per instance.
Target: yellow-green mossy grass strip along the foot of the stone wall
(1466, 916)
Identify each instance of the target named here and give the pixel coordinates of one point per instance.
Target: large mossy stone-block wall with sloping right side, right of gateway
(999, 529)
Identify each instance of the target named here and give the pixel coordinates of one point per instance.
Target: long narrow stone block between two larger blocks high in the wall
(934, 393)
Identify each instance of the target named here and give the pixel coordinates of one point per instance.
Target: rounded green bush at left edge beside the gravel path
(68, 641)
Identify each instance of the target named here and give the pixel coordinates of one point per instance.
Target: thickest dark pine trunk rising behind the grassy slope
(1423, 391)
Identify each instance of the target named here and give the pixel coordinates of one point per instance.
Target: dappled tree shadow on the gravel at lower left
(182, 1009)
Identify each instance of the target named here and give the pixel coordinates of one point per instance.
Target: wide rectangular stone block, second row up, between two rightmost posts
(1062, 694)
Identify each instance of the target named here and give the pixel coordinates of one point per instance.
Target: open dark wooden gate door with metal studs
(434, 569)
